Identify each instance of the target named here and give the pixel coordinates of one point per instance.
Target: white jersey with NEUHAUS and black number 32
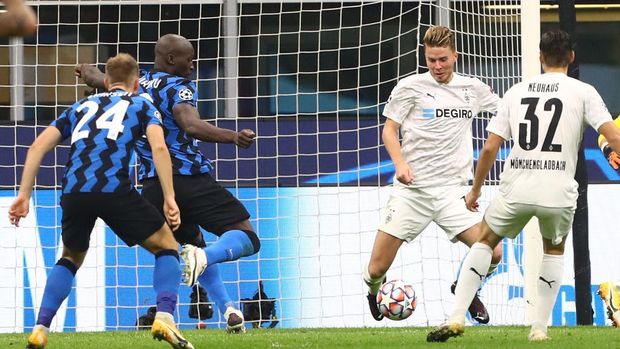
(546, 117)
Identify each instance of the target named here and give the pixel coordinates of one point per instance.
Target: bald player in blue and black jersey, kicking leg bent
(201, 199)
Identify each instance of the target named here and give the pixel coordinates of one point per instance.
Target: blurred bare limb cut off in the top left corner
(18, 20)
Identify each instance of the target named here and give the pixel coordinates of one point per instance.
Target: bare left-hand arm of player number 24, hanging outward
(45, 142)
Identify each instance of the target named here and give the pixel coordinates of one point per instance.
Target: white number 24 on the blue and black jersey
(114, 126)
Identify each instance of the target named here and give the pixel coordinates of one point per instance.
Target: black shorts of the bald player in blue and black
(202, 201)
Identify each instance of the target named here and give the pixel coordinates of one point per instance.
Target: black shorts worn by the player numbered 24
(132, 218)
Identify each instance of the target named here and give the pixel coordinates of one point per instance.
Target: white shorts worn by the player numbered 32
(508, 219)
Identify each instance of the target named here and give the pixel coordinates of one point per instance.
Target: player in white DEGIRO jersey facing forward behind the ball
(433, 112)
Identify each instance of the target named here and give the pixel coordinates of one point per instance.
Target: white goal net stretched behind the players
(311, 78)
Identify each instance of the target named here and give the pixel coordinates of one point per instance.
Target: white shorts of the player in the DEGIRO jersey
(410, 210)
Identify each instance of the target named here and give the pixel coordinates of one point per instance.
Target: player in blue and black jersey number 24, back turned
(103, 129)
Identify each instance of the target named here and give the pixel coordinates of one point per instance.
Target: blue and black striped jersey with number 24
(103, 129)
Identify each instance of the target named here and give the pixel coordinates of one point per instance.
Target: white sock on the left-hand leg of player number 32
(472, 273)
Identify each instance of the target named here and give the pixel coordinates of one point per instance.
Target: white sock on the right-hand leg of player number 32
(548, 286)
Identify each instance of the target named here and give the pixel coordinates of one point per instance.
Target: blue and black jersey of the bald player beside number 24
(166, 91)
